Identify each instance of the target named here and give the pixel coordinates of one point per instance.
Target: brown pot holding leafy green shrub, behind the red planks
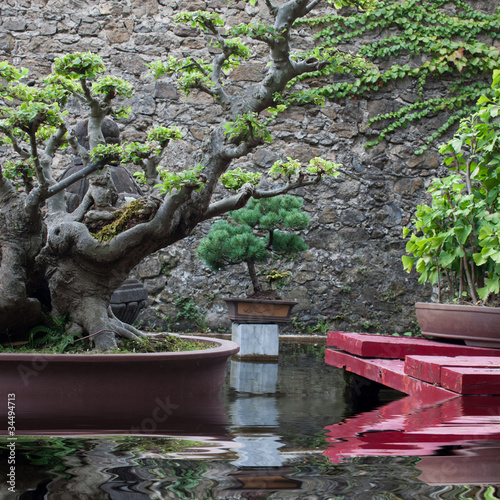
(477, 326)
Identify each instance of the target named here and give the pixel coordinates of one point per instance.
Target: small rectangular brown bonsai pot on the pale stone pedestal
(259, 310)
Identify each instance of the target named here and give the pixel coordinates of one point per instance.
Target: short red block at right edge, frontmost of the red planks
(471, 380)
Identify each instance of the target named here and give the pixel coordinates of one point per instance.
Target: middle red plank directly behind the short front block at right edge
(428, 368)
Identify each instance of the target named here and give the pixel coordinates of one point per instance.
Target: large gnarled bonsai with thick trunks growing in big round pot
(50, 258)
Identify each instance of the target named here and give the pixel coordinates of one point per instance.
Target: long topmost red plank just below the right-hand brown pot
(392, 347)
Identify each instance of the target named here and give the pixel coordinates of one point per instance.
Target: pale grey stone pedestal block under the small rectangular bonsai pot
(256, 341)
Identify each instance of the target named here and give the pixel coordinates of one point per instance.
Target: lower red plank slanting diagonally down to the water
(390, 373)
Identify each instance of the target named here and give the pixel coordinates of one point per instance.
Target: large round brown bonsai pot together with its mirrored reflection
(136, 393)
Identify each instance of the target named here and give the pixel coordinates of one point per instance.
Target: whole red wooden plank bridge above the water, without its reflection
(431, 371)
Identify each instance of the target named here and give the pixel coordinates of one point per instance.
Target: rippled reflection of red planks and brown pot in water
(458, 439)
